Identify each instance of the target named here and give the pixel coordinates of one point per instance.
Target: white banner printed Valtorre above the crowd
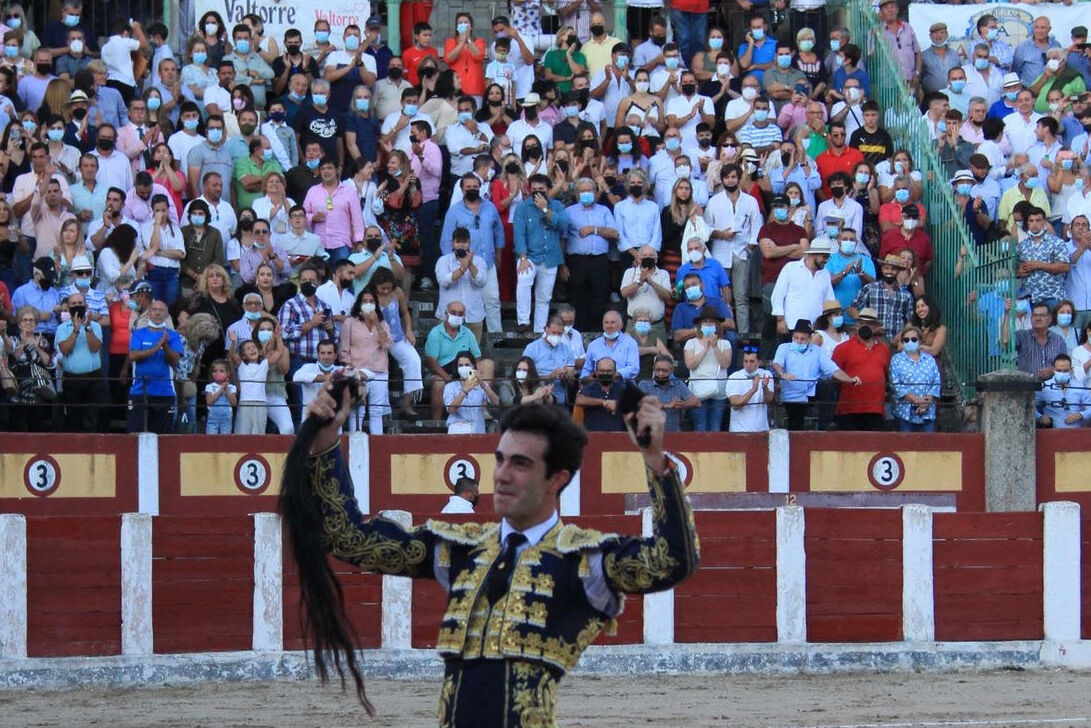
(280, 16)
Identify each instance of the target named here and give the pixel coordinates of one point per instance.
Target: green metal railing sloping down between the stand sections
(972, 296)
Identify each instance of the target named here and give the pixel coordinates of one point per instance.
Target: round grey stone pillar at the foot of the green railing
(1008, 421)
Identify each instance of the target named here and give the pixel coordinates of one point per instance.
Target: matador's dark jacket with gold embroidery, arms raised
(565, 590)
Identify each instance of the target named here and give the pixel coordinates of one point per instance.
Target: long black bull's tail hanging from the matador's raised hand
(323, 619)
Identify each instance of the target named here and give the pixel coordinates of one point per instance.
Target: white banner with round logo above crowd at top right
(1014, 21)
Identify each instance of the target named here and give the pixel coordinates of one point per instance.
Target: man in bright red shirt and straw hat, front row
(868, 357)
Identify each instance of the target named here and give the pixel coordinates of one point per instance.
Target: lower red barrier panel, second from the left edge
(202, 583)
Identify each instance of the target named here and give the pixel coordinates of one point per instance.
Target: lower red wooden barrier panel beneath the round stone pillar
(988, 576)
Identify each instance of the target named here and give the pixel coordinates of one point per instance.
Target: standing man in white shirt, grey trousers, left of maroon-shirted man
(735, 220)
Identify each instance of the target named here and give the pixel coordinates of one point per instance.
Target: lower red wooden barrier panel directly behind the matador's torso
(429, 601)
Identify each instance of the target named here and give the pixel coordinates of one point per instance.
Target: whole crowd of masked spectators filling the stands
(197, 234)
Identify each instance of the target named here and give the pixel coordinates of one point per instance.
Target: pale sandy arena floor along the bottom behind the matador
(858, 701)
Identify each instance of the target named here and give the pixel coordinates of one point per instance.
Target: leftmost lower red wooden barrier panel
(74, 587)
